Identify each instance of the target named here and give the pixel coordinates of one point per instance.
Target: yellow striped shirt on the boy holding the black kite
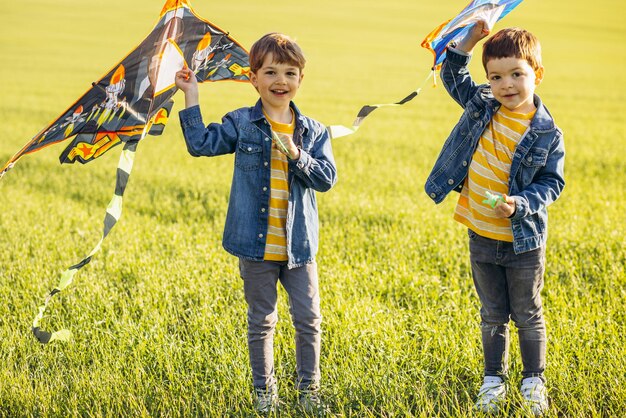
(276, 244)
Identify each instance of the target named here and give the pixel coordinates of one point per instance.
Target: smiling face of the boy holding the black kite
(277, 83)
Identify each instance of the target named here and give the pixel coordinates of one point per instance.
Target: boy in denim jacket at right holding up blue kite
(506, 143)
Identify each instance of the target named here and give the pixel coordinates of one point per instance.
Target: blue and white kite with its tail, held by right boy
(452, 30)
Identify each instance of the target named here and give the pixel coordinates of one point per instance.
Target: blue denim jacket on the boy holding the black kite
(247, 133)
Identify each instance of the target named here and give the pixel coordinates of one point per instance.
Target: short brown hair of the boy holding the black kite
(283, 50)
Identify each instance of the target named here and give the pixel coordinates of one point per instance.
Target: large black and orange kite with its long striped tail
(132, 100)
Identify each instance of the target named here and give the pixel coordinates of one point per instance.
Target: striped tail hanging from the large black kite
(113, 213)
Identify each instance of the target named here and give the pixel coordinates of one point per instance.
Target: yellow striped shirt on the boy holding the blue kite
(489, 171)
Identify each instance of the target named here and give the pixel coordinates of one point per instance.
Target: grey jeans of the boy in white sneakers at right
(509, 287)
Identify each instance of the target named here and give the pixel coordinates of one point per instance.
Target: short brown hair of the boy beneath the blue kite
(513, 43)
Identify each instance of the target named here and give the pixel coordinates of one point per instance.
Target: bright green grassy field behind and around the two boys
(159, 316)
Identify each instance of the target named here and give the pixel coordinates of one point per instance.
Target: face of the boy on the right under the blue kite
(513, 82)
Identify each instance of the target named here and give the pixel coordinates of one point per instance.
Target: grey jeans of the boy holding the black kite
(260, 280)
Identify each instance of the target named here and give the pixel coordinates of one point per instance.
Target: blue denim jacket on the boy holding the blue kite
(536, 177)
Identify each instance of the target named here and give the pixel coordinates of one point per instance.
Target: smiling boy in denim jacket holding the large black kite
(281, 159)
